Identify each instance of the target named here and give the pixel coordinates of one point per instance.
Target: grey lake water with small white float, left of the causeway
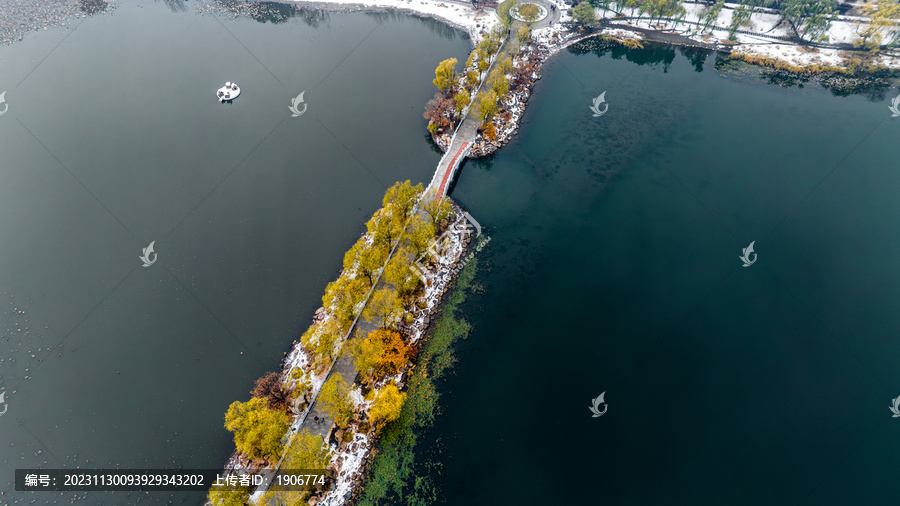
(114, 139)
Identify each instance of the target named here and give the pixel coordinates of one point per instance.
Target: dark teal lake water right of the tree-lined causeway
(613, 267)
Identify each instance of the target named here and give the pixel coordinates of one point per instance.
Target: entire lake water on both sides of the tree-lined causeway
(613, 263)
